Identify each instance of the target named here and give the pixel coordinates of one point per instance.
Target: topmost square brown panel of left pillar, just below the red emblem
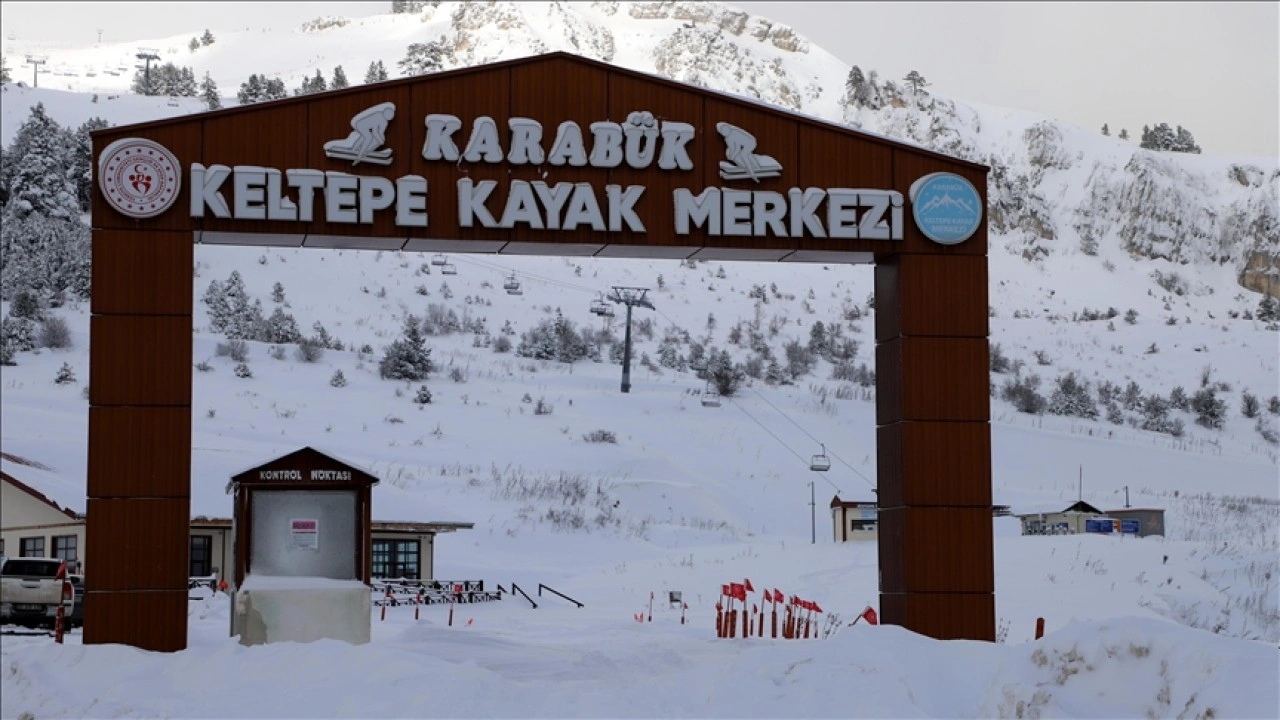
(122, 259)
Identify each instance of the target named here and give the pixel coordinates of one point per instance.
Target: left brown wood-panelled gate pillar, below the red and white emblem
(139, 509)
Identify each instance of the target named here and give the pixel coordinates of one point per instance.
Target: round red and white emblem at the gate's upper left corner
(139, 177)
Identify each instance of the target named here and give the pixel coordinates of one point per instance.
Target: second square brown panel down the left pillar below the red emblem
(140, 361)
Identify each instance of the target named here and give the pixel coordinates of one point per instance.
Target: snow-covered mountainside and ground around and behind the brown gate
(1113, 263)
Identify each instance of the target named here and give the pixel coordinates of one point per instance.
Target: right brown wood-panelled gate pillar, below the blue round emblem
(934, 445)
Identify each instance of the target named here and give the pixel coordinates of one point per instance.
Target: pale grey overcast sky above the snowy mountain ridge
(1212, 67)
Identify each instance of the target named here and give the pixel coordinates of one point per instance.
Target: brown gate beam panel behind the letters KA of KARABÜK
(467, 98)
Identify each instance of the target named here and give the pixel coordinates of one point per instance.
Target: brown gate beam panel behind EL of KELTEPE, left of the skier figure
(273, 138)
